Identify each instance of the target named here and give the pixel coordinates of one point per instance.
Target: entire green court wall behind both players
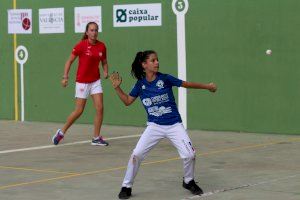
(225, 42)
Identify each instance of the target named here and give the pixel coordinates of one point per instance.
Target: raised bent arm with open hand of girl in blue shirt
(116, 81)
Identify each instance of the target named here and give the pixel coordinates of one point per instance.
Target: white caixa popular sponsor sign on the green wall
(137, 15)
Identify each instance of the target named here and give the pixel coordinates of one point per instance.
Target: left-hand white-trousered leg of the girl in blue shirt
(151, 136)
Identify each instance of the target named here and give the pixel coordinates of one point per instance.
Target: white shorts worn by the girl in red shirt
(83, 90)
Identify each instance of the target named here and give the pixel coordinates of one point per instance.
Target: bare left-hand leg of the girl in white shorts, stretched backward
(79, 107)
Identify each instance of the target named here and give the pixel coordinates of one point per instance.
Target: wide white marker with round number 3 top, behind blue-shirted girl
(180, 8)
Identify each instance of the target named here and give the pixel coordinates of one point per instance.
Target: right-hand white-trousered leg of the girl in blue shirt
(180, 139)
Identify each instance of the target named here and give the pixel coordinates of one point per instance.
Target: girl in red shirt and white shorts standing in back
(88, 83)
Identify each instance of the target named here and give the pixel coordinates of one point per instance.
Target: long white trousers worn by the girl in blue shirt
(151, 136)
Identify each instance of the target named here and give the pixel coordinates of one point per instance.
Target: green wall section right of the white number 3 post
(226, 41)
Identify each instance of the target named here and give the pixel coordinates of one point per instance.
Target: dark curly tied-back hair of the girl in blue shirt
(137, 69)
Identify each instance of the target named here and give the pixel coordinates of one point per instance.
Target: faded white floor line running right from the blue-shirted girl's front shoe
(239, 187)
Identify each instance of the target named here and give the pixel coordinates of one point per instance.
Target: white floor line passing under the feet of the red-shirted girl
(62, 145)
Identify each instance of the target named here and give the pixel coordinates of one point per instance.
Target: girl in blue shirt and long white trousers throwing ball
(164, 121)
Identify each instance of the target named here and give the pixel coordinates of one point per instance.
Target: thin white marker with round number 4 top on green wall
(21, 55)
